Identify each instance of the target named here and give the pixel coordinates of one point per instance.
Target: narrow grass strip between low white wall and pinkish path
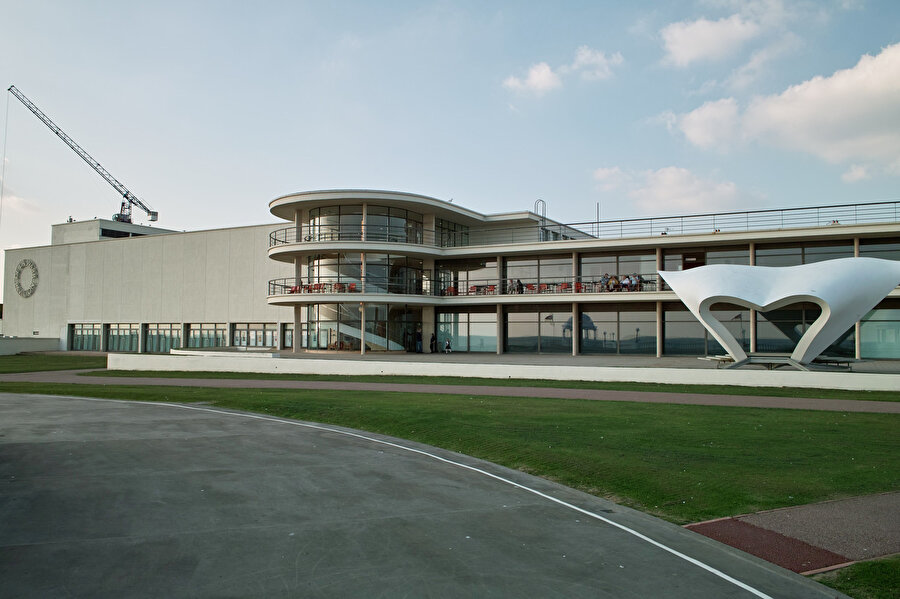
(449, 380)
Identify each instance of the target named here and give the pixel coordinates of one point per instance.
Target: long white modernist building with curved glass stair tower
(367, 271)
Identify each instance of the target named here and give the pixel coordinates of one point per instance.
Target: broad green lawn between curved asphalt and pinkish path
(684, 463)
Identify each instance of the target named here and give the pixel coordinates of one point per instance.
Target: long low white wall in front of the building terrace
(748, 378)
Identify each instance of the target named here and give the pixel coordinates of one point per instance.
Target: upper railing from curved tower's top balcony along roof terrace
(754, 220)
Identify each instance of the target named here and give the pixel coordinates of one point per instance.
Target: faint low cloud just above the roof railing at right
(673, 189)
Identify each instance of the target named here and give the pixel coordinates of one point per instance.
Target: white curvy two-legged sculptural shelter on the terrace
(845, 289)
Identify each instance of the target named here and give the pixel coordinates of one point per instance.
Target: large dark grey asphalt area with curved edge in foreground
(101, 498)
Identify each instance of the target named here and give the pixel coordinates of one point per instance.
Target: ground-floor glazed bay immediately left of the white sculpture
(617, 329)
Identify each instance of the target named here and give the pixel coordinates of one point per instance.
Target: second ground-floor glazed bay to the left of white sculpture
(547, 329)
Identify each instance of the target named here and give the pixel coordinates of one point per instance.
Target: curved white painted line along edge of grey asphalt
(507, 481)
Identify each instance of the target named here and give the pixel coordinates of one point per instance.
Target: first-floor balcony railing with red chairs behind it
(482, 287)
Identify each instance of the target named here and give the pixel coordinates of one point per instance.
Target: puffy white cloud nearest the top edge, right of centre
(691, 41)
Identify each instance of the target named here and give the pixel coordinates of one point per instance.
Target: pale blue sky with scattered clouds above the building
(206, 111)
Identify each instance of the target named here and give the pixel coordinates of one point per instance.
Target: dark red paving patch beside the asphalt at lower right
(789, 553)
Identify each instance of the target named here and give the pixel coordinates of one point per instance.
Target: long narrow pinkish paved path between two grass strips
(71, 377)
